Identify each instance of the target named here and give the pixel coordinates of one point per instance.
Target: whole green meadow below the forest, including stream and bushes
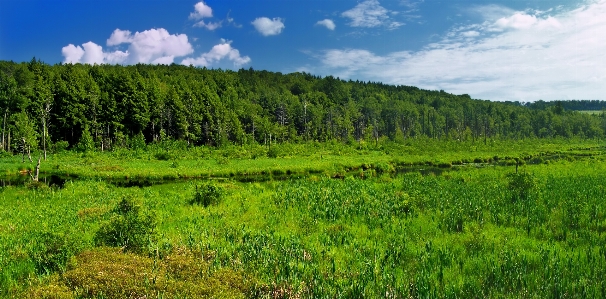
(509, 219)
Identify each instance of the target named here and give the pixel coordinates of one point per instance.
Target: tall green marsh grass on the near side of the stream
(475, 232)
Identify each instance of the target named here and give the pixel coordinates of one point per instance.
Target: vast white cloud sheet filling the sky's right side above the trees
(531, 56)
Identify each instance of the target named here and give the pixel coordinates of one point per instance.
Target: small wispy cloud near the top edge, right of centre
(370, 14)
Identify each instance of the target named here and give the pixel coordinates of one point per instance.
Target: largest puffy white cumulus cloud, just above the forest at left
(149, 46)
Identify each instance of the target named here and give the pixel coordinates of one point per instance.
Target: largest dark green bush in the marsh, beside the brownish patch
(130, 227)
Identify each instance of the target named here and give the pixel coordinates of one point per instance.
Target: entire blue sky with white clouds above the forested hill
(513, 50)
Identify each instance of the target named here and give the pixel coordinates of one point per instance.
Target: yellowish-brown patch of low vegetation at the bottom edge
(111, 273)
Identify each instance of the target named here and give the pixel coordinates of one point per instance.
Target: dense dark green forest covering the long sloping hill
(103, 106)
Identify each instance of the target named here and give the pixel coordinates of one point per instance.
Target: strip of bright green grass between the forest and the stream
(170, 162)
